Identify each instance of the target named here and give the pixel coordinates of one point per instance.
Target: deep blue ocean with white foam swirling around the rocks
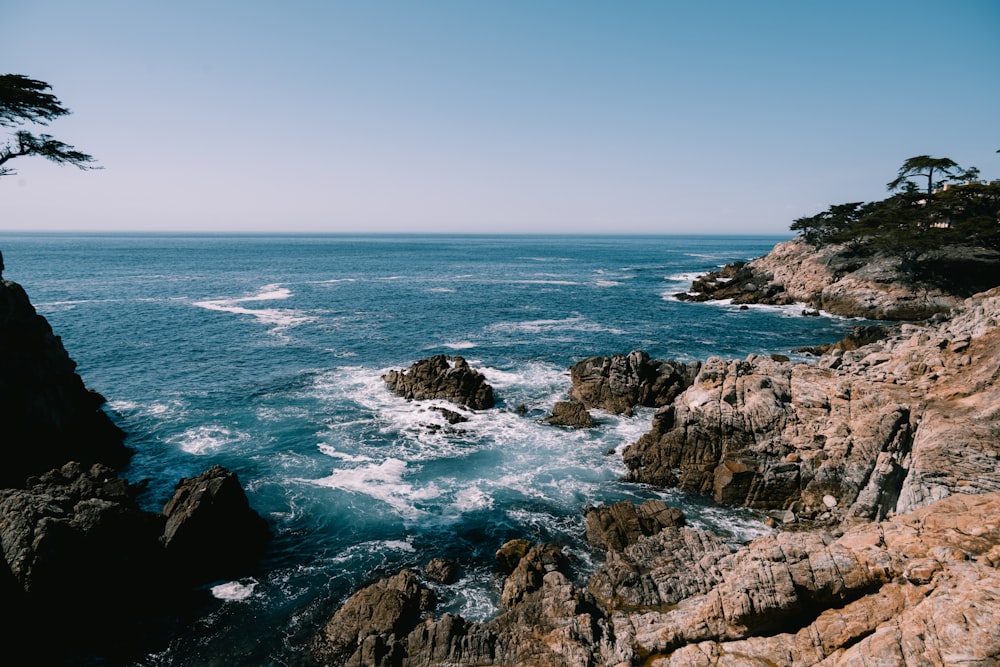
(264, 354)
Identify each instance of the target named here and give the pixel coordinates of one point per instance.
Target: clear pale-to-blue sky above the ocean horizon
(486, 116)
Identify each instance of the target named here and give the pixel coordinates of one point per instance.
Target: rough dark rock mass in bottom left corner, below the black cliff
(81, 556)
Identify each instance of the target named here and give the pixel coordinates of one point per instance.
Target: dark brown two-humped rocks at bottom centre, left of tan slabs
(547, 621)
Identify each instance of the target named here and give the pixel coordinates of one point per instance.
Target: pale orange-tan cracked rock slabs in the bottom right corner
(918, 589)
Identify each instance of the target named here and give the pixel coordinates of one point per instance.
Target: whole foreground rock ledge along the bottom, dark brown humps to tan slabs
(917, 589)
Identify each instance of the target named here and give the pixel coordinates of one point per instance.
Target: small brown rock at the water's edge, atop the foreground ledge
(617, 526)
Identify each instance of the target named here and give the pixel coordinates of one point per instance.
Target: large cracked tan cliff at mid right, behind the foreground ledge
(887, 427)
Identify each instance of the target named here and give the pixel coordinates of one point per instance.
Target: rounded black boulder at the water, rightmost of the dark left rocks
(211, 531)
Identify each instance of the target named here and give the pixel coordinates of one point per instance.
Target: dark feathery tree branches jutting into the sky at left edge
(24, 100)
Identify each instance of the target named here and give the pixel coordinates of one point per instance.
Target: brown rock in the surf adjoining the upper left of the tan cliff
(620, 382)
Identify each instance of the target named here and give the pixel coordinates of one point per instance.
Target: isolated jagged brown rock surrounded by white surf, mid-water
(442, 378)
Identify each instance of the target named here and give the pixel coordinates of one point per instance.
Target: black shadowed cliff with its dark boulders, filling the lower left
(87, 576)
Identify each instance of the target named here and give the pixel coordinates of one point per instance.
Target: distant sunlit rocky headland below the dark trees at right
(835, 278)
